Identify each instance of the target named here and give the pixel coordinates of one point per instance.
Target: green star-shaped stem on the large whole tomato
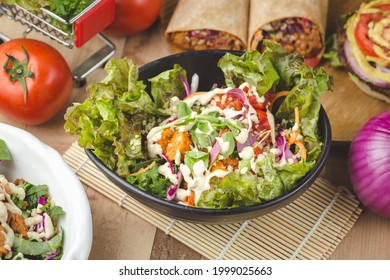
(18, 71)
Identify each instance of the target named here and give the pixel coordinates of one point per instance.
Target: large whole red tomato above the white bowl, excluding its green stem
(47, 89)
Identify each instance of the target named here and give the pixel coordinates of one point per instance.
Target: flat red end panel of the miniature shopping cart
(94, 21)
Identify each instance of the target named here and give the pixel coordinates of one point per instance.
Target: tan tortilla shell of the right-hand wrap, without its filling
(263, 12)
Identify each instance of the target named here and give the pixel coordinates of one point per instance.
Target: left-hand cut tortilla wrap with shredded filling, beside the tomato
(222, 23)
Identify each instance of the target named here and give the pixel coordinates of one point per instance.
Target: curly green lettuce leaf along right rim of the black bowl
(306, 85)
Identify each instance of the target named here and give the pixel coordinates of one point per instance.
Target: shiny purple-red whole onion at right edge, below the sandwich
(369, 164)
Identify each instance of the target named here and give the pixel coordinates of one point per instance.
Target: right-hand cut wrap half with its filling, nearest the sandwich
(298, 25)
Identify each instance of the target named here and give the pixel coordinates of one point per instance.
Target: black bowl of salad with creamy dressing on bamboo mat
(208, 136)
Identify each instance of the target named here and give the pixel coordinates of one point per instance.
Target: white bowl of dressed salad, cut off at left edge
(44, 211)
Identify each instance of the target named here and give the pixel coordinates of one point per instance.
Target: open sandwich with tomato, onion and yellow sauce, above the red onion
(361, 45)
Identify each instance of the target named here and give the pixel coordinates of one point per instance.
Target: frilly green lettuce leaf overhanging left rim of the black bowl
(112, 120)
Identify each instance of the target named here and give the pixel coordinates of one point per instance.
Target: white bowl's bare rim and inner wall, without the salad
(38, 163)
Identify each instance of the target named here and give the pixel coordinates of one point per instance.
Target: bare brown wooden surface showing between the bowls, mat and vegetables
(119, 234)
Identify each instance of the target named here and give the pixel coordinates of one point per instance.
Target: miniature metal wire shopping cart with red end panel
(74, 32)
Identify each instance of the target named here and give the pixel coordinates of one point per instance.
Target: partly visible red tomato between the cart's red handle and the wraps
(134, 16)
